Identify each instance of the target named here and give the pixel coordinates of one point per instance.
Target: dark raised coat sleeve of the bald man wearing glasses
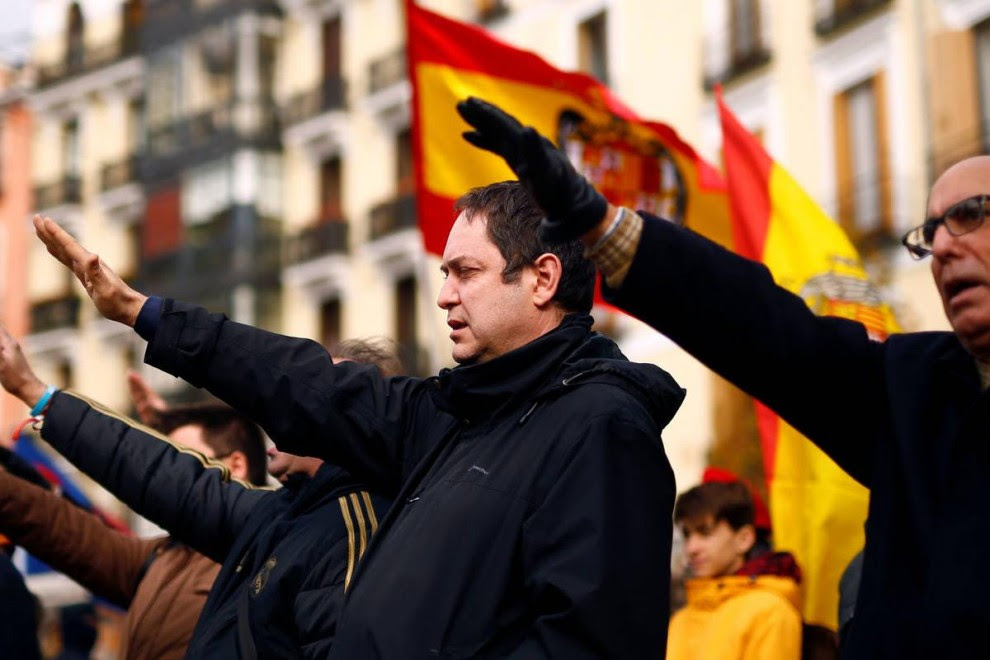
(816, 372)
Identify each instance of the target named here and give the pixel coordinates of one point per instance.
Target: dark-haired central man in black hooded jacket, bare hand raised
(532, 492)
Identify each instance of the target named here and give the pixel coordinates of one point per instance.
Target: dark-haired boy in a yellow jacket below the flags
(739, 604)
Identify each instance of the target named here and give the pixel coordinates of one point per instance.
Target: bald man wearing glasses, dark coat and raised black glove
(909, 418)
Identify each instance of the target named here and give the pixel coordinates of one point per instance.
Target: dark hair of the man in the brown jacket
(224, 430)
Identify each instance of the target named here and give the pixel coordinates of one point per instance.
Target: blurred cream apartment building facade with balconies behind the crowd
(254, 155)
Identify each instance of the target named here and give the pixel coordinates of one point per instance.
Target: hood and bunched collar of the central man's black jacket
(569, 356)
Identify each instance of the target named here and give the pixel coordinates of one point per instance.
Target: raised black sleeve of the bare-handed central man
(348, 414)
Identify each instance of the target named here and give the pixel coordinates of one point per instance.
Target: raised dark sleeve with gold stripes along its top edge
(178, 489)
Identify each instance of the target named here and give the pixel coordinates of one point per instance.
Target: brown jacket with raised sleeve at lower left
(162, 605)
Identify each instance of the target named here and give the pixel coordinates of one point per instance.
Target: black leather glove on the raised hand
(572, 205)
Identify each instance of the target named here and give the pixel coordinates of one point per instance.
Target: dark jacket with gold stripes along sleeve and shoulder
(287, 554)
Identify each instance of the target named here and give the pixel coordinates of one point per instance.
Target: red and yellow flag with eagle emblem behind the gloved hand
(635, 163)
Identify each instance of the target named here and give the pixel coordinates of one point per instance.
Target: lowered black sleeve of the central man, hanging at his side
(578, 565)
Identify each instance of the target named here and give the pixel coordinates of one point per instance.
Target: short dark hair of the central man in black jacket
(513, 226)
